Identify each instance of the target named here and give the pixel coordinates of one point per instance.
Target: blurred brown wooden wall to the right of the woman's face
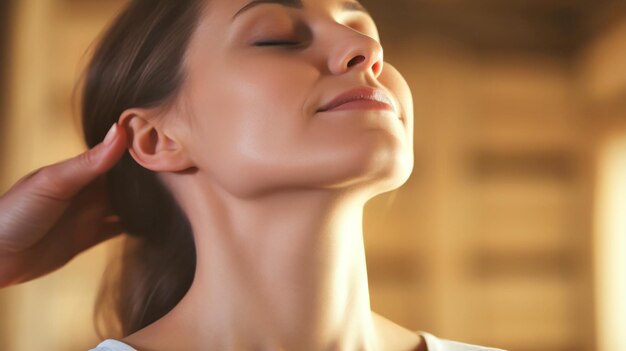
(492, 239)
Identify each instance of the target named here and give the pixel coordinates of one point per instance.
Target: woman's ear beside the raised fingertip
(151, 145)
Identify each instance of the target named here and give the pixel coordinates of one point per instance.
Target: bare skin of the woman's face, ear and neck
(273, 185)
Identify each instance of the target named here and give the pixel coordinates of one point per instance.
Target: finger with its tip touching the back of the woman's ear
(65, 179)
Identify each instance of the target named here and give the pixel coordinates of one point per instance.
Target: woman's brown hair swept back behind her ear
(138, 63)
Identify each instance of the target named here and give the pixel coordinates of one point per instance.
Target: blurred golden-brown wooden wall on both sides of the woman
(491, 239)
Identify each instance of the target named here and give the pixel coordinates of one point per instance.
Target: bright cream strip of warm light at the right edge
(610, 245)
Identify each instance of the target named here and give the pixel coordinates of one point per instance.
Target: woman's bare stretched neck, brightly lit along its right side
(285, 271)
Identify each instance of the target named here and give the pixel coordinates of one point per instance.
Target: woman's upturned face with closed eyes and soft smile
(290, 93)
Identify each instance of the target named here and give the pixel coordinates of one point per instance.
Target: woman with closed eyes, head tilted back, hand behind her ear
(256, 132)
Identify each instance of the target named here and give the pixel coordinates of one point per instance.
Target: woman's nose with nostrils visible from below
(356, 51)
